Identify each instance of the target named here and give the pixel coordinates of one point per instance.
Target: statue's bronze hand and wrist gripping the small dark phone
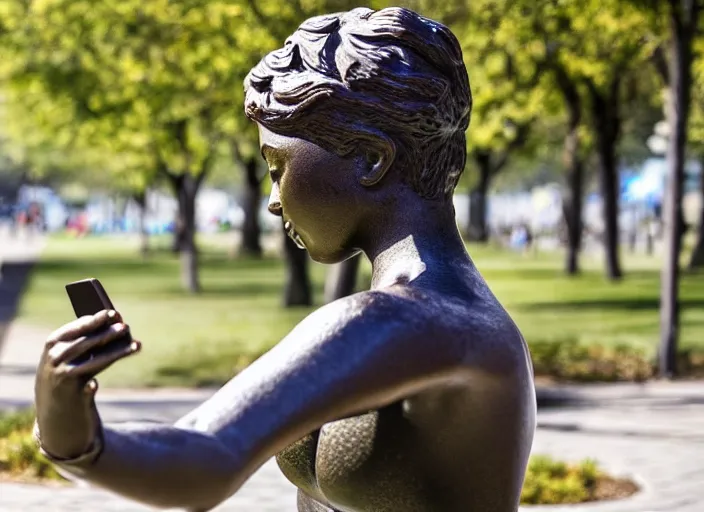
(67, 419)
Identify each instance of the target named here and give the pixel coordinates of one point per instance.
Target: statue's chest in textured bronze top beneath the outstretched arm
(366, 462)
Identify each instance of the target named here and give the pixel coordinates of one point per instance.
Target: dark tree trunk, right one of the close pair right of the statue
(607, 124)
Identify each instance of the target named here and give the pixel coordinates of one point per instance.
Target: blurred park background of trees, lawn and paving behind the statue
(125, 155)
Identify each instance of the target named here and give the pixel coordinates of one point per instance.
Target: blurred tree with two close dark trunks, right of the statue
(586, 52)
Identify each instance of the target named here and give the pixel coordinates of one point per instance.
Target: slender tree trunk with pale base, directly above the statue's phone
(186, 189)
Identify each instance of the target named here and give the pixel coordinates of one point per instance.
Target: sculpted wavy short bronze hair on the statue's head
(357, 80)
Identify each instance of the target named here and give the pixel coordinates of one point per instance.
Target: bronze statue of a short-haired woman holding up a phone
(414, 396)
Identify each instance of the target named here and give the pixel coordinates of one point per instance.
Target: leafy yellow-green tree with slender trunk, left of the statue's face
(160, 78)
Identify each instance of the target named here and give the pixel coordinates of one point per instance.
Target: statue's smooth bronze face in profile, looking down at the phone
(318, 194)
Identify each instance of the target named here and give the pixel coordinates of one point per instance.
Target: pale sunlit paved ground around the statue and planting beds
(653, 433)
